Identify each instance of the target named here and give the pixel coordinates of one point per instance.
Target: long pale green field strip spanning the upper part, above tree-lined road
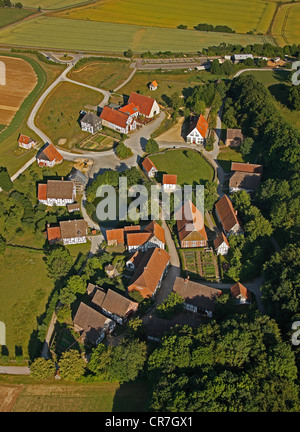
(48, 32)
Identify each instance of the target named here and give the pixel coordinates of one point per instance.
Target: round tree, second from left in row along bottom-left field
(71, 365)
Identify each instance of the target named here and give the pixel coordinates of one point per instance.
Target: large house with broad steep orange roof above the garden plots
(190, 227)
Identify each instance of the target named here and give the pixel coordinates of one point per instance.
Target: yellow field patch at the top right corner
(286, 26)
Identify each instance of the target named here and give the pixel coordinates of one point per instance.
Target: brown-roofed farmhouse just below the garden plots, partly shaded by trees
(197, 297)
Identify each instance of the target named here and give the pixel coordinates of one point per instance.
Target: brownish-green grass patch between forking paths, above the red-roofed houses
(106, 75)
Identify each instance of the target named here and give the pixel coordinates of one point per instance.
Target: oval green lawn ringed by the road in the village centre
(191, 168)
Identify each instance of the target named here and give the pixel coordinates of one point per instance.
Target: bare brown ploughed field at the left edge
(20, 81)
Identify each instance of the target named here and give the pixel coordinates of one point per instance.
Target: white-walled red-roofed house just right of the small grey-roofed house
(117, 120)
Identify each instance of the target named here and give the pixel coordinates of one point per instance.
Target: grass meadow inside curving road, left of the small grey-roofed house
(59, 114)
